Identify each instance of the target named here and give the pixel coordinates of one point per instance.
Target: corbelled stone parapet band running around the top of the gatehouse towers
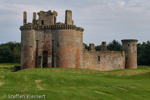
(50, 27)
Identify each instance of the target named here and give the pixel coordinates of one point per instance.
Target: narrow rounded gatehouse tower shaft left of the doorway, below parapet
(28, 49)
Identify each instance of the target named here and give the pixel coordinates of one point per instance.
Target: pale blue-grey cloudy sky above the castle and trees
(103, 20)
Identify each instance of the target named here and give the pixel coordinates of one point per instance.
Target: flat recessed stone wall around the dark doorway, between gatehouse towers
(44, 43)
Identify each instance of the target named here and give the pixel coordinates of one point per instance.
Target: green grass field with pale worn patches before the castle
(75, 84)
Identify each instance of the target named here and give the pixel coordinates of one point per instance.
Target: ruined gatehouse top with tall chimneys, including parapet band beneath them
(47, 20)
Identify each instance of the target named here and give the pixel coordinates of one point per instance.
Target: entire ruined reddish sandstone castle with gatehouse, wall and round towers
(48, 43)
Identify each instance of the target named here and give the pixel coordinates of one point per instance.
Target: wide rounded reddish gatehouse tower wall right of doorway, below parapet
(67, 48)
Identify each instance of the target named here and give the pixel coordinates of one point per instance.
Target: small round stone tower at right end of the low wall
(130, 48)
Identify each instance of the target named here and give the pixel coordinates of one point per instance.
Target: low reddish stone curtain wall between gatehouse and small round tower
(103, 60)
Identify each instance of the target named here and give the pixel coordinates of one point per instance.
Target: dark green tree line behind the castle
(11, 52)
